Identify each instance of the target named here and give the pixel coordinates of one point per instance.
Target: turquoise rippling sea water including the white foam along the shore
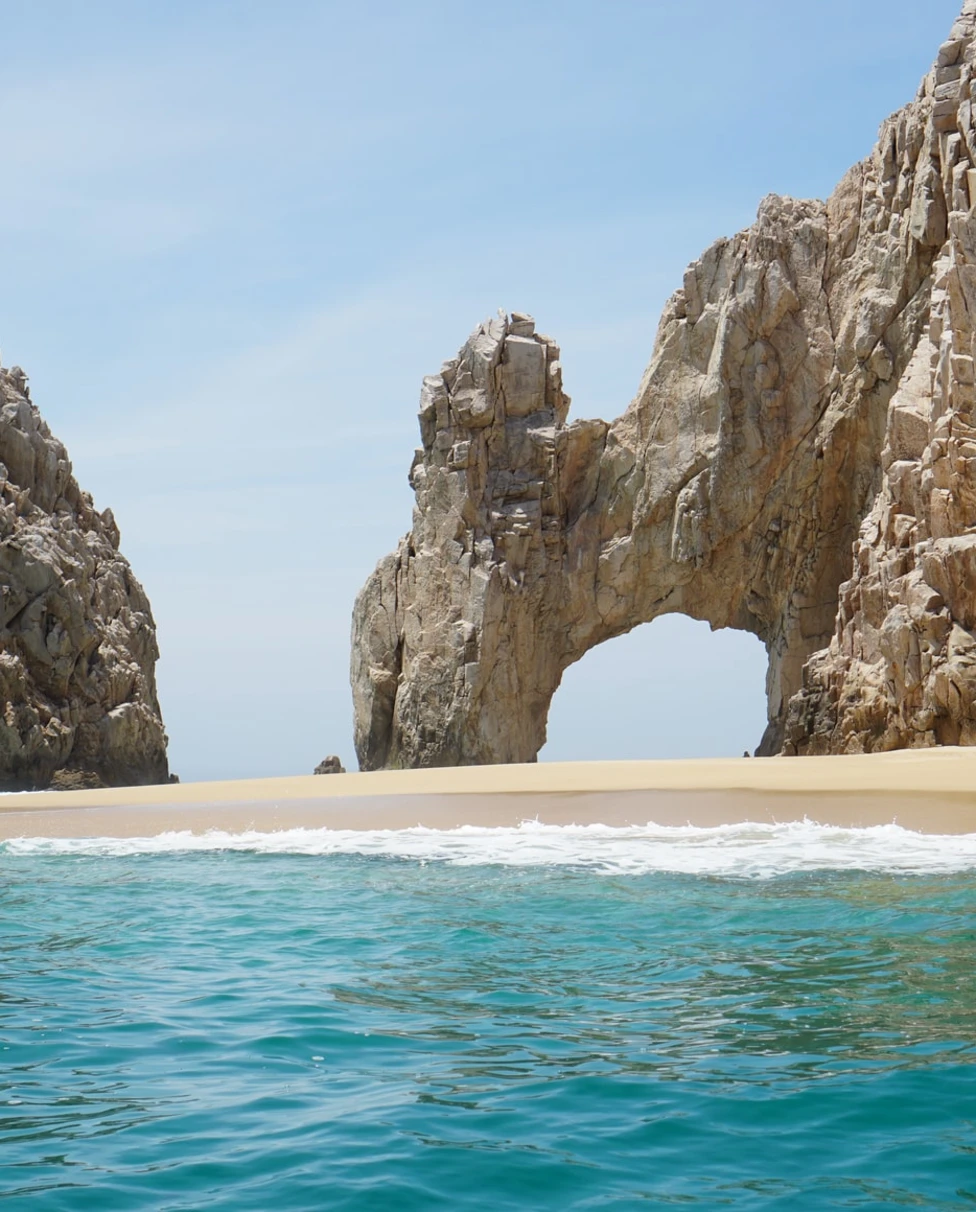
(751, 1019)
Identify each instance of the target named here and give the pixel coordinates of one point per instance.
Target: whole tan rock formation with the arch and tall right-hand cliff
(811, 391)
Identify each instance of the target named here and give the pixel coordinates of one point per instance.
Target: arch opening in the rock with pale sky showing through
(669, 689)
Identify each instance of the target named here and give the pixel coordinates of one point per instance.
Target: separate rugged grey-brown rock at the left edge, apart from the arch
(78, 644)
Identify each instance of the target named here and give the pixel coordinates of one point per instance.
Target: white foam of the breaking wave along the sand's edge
(739, 850)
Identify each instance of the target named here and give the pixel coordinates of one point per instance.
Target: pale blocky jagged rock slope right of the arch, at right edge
(901, 668)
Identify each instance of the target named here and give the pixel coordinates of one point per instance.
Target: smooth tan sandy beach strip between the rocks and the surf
(931, 790)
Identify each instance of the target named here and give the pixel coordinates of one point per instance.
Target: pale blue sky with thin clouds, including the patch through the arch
(238, 235)
